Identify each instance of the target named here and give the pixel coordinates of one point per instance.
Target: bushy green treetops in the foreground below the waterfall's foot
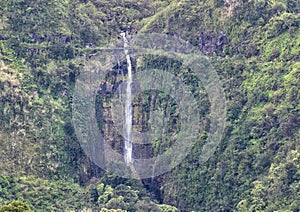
(44, 195)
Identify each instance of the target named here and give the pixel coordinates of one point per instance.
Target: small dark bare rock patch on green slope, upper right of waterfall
(210, 43)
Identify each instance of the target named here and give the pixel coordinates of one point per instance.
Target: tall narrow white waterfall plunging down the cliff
(127, 124)
